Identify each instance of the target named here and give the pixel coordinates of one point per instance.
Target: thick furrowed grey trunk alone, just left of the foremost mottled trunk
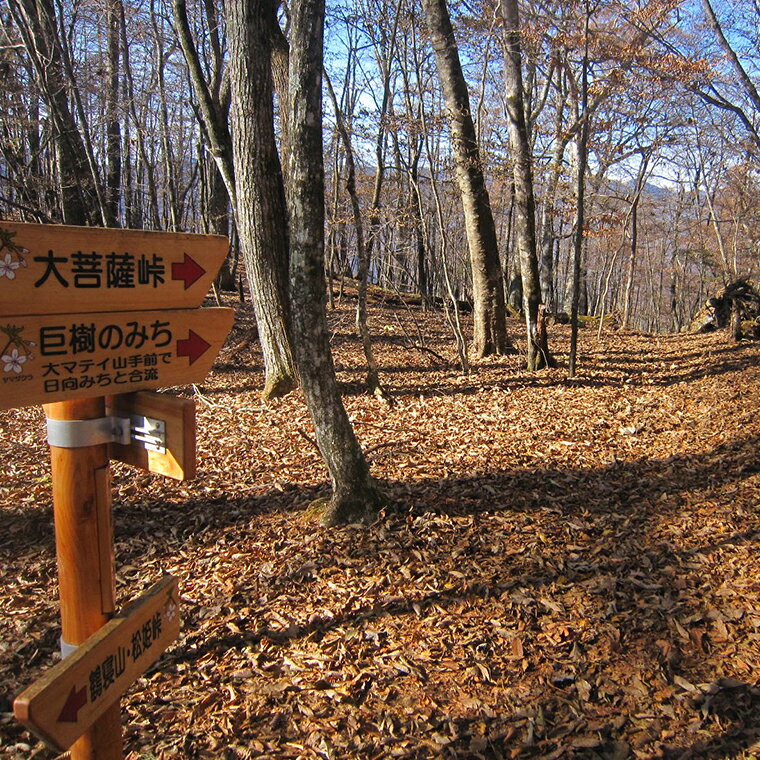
(259, 188)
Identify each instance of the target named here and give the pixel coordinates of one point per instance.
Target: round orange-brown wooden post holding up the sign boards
(84, 547)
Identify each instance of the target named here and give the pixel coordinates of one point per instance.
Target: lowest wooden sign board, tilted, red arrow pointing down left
(68, 699)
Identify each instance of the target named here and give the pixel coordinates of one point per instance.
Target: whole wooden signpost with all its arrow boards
(89, 319)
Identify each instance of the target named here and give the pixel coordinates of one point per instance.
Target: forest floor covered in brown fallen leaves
(565, 569)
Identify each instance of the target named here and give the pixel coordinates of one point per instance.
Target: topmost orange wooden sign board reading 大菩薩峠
(47, 268)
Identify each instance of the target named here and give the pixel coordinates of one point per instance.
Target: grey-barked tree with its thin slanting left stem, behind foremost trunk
(248, 161)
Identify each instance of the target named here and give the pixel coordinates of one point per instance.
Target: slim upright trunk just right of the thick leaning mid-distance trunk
(525, 223)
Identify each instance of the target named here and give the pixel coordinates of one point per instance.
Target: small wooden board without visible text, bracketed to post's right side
(178, 416)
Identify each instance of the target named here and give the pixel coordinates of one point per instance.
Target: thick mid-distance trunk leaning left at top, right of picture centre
(490, 335)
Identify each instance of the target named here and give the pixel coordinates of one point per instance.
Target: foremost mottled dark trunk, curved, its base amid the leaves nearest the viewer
(355, 497)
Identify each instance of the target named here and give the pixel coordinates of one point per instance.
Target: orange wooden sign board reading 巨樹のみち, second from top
(66, 356)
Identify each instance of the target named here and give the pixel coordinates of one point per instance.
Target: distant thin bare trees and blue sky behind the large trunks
(671, 183)
